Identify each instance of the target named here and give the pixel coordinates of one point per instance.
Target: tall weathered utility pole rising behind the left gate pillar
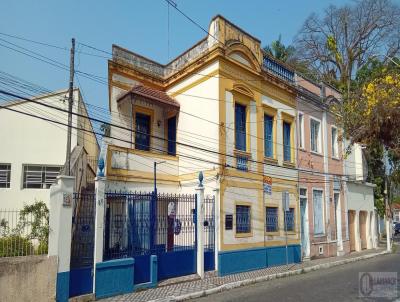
(70, 103)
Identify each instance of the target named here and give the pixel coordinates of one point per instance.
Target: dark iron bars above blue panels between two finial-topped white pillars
(142, 224)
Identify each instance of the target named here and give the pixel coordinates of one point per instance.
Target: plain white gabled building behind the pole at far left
(33, 150)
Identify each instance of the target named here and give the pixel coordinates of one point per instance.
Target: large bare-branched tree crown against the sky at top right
(343, 39)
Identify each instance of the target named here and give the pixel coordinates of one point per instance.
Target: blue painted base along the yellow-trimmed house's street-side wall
(238, 261)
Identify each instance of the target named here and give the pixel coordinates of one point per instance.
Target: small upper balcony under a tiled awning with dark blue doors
(149, 118)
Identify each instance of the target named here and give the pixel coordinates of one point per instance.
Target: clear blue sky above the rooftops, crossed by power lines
(140, 26)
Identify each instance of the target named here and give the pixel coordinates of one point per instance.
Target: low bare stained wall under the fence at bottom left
(30, 278)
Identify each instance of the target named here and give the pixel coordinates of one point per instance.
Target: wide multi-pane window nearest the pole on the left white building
(40, 177)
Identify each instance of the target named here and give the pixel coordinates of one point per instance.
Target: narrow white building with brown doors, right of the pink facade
(362, 217)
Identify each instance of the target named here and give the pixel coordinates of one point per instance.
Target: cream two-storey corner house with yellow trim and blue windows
(222, 108)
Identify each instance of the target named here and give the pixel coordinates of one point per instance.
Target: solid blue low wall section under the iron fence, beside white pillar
(114, 277)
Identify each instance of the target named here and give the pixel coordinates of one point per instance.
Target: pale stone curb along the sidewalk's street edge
(236, 284)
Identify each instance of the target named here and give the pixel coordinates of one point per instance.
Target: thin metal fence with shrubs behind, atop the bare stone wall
(22, 233)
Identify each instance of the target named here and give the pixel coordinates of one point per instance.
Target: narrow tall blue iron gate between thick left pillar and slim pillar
(82, 245)
